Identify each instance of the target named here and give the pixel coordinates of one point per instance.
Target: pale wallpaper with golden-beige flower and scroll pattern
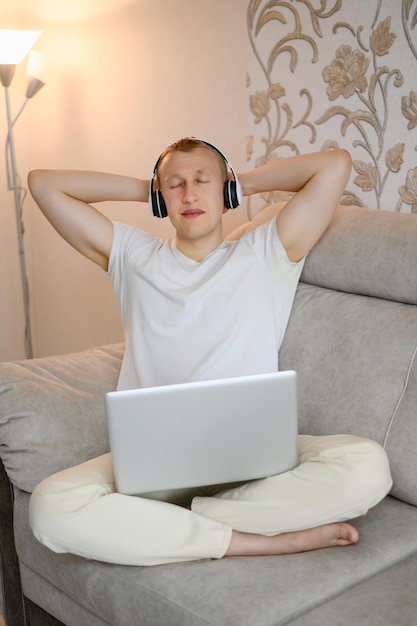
(324, 74)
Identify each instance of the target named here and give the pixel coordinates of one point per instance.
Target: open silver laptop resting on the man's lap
(203, 433)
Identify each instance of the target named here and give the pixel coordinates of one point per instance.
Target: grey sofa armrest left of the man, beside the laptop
(52, 412)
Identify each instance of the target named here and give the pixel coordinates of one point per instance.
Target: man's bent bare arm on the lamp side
(64, 197)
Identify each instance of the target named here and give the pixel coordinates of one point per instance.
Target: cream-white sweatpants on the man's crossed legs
(77, 510)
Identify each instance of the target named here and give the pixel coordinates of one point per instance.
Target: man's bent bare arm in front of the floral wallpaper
(318, 179)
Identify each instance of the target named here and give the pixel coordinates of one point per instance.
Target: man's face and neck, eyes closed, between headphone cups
(192, 187)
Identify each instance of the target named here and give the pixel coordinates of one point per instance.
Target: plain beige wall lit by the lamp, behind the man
(125, 78)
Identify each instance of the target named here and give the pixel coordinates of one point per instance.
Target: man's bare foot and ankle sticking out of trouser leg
(247, 544)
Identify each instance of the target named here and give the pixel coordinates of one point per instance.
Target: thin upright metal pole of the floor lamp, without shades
(6, 75)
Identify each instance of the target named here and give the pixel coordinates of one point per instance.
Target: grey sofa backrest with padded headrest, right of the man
(352, 336)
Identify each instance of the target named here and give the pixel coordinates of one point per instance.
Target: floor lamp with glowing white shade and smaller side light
(14, 46)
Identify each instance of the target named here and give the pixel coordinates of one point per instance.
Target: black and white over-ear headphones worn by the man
(231, 189)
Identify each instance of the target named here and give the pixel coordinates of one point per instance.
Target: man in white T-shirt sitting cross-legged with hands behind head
(196, 308)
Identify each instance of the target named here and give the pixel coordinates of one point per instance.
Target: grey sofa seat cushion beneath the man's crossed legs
(240, 591)
